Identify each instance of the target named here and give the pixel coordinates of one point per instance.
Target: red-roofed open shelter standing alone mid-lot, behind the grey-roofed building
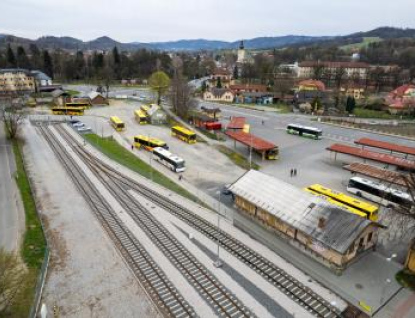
(261, 146)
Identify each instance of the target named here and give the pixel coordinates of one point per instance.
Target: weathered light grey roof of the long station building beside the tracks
(301, 210)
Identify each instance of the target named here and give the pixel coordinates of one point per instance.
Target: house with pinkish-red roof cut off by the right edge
(401, 100)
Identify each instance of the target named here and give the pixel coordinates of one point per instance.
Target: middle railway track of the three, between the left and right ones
(218, 296)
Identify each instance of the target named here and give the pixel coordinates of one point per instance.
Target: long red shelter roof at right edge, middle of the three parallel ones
(371, 155)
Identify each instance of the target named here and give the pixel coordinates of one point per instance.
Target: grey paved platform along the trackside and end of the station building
(368, 284)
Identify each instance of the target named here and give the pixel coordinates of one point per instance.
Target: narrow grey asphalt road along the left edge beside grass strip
(9, 216)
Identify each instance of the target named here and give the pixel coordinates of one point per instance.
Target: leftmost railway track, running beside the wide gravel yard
(170, 302)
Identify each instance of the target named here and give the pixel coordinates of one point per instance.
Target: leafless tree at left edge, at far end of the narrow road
(12, 114)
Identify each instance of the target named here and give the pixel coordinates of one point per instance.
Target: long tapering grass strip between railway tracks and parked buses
(118, 153)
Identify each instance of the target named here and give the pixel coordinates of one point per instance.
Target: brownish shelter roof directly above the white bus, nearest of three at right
(391, 177)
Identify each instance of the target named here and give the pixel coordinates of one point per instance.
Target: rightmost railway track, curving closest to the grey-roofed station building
(298, 292)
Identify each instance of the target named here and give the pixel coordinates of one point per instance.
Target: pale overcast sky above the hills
(166, 20)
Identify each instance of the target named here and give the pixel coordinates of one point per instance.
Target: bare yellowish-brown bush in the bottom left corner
(13, 277)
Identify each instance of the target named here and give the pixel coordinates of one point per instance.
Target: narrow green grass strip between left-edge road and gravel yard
(34, 243)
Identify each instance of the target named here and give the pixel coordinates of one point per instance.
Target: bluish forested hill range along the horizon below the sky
(106, 43)
